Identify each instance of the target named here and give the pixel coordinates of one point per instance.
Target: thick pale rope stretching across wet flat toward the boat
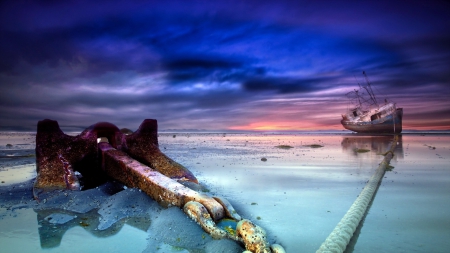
(338, 239)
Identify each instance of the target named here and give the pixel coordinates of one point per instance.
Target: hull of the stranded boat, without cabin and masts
(389, 124)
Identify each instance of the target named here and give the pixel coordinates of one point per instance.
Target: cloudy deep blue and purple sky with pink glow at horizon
(220, 65)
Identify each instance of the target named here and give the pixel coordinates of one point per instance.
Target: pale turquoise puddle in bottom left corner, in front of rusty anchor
(23, 235)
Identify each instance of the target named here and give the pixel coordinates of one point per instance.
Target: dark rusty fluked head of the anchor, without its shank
(58, 155)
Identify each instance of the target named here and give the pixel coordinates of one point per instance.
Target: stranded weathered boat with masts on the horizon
(367, 115)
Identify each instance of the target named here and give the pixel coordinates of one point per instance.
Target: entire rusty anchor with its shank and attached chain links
(135, 160)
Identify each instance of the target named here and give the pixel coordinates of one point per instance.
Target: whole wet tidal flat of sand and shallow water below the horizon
(296, 186)
